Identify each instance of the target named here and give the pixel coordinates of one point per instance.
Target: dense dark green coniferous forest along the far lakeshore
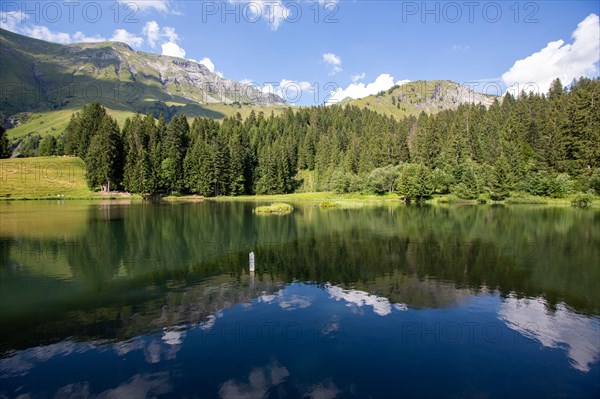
(545, 145)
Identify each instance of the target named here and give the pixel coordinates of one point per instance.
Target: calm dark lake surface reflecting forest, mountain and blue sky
(155, 300)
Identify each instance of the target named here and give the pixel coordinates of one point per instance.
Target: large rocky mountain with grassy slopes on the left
(39, 76)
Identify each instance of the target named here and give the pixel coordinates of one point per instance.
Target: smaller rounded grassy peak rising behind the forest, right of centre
(429, 96)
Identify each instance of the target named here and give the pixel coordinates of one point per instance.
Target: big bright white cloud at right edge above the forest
(559, 59)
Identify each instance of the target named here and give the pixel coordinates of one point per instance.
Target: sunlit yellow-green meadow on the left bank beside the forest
(43, 178)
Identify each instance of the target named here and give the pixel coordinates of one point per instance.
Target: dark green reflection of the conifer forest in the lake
(147, 265)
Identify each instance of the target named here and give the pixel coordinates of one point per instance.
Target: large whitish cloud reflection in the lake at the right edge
(555, 329)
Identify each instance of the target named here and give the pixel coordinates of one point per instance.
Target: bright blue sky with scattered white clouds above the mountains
(308, 49)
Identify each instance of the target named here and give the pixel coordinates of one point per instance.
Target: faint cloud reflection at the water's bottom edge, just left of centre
(260, 381)
